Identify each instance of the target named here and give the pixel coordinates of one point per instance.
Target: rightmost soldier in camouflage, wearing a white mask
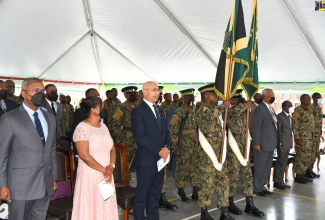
(318, 118)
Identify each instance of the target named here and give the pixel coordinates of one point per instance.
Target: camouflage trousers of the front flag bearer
(212, 180)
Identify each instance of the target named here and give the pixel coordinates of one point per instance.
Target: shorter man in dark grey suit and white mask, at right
(285, 131)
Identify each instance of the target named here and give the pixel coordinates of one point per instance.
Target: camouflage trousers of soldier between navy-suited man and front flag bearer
(186, 166)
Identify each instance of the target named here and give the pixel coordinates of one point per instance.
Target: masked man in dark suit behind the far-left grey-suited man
(55, 108)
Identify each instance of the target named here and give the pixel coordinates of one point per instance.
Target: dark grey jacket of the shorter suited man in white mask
(285, 130)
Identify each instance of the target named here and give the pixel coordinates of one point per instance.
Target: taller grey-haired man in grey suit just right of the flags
(265, 139)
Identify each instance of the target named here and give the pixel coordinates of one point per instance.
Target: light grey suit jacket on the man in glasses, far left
(26, 166)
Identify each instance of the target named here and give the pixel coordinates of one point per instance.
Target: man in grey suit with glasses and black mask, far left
(27, 155)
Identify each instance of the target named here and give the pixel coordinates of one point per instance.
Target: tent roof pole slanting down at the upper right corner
(305, 34)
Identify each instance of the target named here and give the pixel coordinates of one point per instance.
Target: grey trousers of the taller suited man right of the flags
(262, 168)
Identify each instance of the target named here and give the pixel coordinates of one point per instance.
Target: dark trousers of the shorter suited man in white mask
(280, 166)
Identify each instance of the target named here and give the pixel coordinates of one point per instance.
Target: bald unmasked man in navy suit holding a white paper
(150, 131)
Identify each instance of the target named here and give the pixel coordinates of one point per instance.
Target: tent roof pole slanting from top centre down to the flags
(184, 31)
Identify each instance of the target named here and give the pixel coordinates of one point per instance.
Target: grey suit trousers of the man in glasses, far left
(29, 209)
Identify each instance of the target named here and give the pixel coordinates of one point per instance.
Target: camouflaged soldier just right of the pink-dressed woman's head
(110, 106)
